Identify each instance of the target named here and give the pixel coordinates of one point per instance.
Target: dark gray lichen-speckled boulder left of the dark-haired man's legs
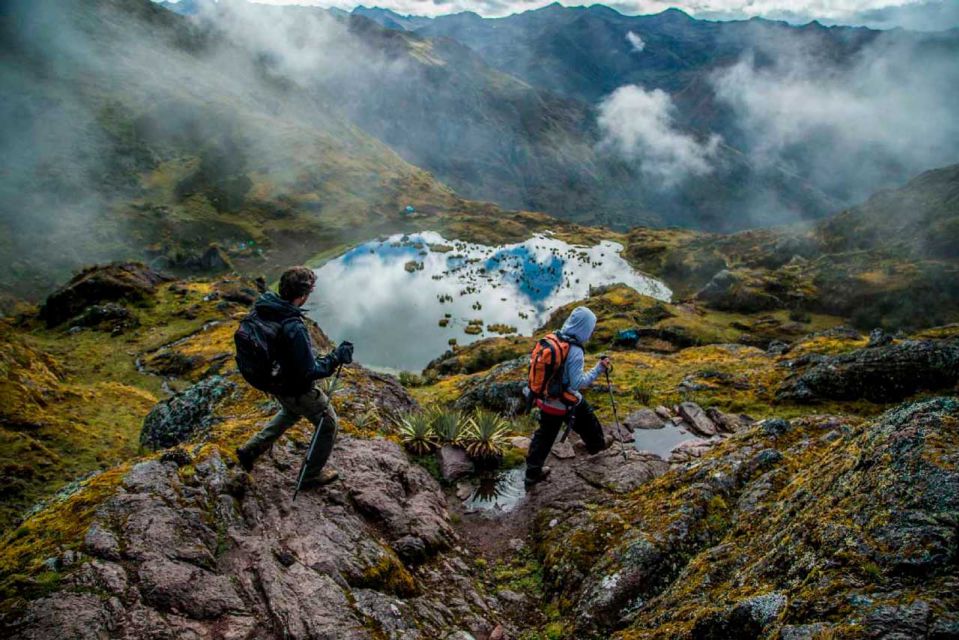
(187, 415)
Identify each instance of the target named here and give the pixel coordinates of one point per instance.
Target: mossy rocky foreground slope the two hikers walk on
(840, 523)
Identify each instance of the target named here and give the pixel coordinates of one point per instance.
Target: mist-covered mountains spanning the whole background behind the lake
(285, 124)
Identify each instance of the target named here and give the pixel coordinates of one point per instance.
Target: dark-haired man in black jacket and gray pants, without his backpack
(299, 370)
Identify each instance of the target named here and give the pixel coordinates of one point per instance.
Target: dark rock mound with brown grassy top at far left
(131, 281)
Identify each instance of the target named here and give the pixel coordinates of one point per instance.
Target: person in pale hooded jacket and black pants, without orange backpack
(576, 332)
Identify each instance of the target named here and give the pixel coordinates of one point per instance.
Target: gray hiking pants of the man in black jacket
(312, 405)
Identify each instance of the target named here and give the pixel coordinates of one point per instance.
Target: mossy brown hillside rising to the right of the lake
(875, 263)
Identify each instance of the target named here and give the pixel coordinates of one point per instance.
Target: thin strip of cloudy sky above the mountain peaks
(915, 14)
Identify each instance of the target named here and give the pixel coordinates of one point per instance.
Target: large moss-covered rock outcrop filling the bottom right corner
(725, 545)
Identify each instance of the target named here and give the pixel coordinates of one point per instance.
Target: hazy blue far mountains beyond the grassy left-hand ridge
(510, 110)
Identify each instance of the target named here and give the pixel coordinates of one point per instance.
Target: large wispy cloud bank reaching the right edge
(884, 115)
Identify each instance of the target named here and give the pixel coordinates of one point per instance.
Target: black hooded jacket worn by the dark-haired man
(299, 367)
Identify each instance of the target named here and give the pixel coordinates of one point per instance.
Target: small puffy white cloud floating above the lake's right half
(639, 125)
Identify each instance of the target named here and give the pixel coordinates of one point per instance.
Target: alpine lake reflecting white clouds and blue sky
(403, 300)
